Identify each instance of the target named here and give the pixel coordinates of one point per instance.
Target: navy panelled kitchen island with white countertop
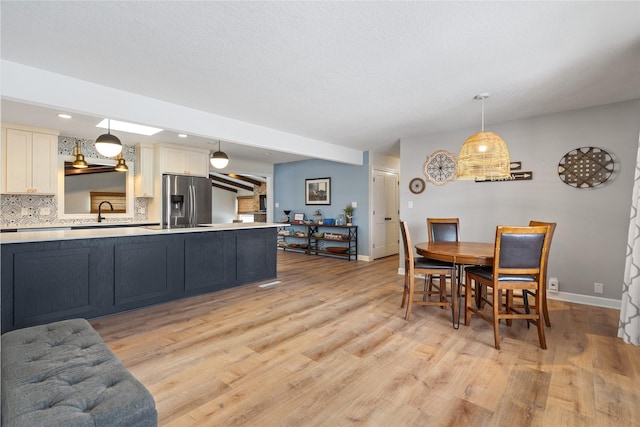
(61, 274)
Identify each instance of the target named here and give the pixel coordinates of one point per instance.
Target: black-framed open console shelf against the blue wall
(315, 239)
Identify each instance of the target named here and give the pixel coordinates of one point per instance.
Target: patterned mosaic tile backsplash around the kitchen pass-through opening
(27, 210)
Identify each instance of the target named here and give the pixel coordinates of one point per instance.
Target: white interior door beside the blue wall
(385, 214)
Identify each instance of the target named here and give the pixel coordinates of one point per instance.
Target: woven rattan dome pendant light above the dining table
(484, 156)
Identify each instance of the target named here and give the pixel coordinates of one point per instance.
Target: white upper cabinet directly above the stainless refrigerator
(183, 160)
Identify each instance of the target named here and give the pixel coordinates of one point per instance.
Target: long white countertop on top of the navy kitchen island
(94, 233)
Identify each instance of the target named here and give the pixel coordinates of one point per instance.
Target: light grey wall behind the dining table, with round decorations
(590, 240)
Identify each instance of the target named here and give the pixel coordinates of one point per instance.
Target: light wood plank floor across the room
(330, 347)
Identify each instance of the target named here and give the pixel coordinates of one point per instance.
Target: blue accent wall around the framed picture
(349, 183)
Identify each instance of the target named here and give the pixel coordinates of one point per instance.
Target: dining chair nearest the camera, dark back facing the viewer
(519, 254)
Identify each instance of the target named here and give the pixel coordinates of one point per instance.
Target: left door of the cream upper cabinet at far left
(17, 161)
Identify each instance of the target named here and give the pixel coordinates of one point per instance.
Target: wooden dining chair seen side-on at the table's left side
(420, 265)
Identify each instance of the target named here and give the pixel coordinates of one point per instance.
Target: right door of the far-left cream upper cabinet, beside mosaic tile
(44, 155)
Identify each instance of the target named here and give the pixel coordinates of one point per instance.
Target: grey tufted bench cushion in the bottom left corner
(63, 374)
